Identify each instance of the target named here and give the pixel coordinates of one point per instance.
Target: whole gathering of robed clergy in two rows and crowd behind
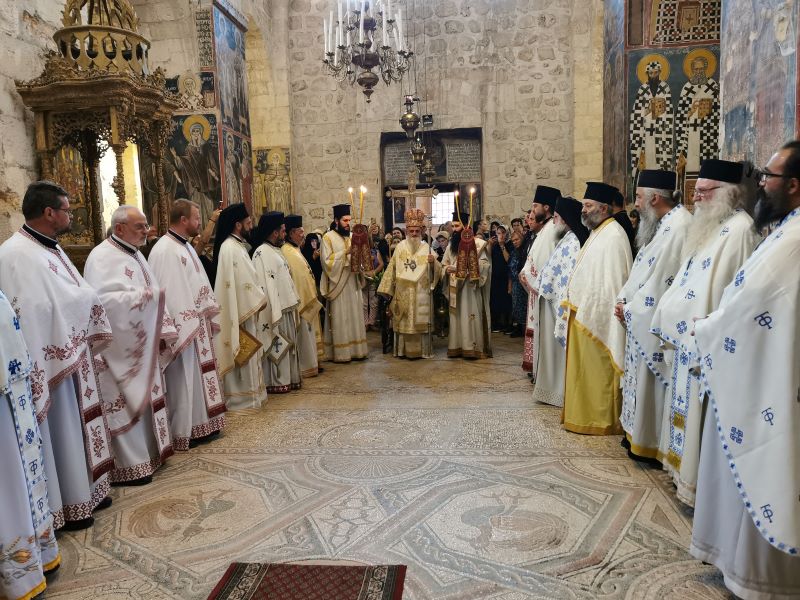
(676, 330)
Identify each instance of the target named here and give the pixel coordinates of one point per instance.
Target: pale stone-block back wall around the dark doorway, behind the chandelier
(506, 66)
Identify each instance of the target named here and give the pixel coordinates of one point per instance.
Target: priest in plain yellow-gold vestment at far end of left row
(310, 349)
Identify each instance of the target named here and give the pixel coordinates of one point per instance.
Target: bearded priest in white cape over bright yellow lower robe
(595, 339)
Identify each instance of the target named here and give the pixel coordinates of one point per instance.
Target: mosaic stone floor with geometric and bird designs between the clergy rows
(443, 465)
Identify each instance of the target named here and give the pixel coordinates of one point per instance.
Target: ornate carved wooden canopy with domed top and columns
(96, 92)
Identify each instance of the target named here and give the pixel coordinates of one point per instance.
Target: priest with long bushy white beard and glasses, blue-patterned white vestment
(720, 238)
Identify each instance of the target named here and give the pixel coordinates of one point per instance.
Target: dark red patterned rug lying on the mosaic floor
(258, 581)
